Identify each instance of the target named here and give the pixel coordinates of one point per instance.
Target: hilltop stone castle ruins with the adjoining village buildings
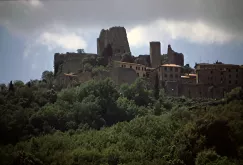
(206, 80)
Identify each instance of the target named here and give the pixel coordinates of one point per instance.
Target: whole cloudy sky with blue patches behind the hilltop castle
(32, 31)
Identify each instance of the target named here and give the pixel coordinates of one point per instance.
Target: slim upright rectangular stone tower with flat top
(155, 54)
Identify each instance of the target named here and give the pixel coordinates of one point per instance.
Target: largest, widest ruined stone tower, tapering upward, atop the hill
(117, 37)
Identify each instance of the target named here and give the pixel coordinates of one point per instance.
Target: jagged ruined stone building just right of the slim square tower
(174, 57)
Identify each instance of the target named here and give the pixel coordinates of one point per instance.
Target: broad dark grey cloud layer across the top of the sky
(223, 14)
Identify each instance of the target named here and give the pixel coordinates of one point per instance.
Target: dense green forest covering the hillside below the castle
(99, 123)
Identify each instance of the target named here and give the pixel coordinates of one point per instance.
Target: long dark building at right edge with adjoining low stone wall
(210, 81)
